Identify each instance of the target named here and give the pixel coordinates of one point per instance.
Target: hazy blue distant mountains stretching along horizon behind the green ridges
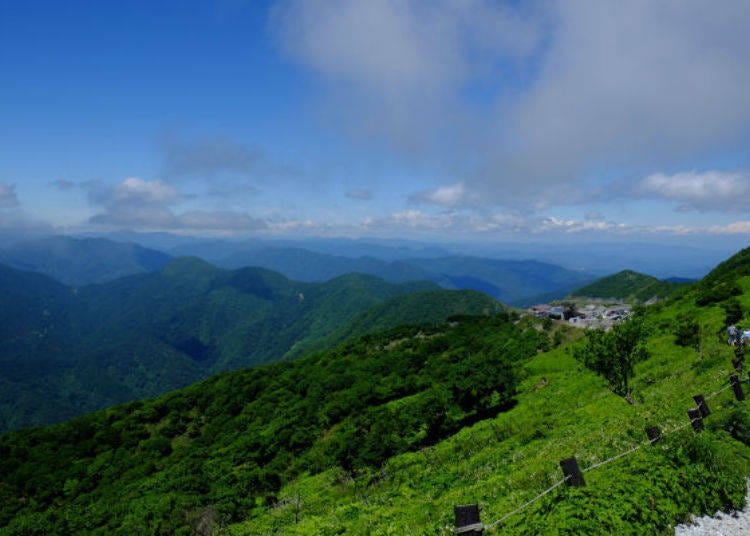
(83, 261)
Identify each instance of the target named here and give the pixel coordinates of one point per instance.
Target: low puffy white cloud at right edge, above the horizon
(709, 190)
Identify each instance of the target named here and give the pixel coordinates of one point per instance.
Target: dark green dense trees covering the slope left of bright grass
(231, 441)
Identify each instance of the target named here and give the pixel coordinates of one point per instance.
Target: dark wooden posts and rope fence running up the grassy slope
(467, 516)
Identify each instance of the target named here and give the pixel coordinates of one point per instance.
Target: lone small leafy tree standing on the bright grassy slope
(613, 354)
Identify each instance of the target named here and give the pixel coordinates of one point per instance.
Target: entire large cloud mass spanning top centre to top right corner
(526, 101)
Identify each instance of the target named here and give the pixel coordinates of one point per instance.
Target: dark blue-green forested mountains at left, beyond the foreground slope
(68, 351)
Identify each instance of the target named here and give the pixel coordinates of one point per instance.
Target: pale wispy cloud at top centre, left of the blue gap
(393, 70)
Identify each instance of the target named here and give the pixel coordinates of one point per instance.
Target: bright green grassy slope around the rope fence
(563, 410)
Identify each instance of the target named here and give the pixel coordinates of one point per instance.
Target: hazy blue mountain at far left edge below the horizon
(82, 261)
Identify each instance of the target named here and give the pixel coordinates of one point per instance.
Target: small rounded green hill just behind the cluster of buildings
(627, 285)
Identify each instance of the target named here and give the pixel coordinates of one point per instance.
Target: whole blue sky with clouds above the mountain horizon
(471, 120)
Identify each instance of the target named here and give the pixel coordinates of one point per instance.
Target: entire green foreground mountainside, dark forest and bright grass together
(387, 433)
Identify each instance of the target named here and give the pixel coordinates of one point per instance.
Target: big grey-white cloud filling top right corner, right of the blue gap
(630, 85)
